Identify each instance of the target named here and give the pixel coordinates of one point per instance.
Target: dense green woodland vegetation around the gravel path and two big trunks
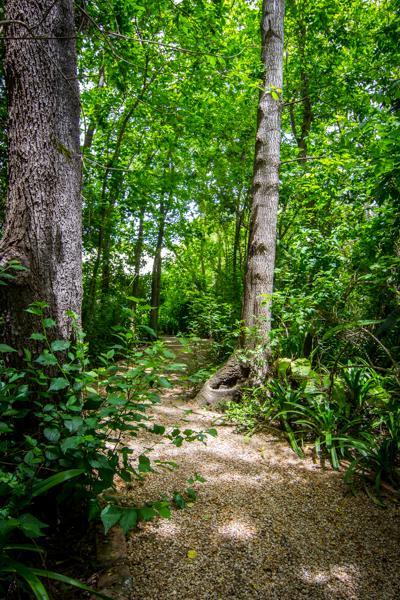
(169, 97)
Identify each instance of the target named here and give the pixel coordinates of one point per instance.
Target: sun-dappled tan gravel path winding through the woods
(265, 525)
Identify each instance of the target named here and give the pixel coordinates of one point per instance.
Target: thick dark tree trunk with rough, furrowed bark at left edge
(43, 221)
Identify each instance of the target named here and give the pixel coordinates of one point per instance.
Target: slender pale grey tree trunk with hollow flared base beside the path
(262, 239)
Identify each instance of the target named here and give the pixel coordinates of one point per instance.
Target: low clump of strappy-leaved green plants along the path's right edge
(349, 417)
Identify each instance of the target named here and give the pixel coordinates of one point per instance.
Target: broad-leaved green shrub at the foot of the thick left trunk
(61, 431)
